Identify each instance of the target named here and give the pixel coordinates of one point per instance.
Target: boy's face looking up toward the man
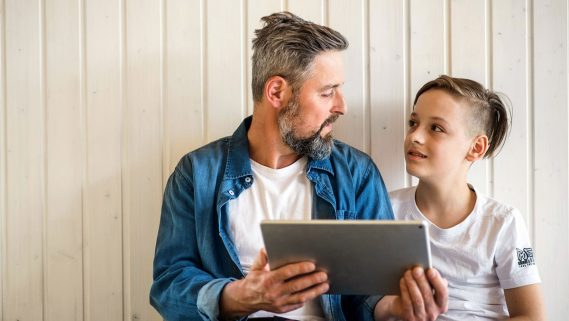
(437, 140)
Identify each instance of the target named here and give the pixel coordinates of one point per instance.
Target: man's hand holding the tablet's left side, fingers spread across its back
(279, 291)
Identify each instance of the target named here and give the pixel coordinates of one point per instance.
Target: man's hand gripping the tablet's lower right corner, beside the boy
(423, 297)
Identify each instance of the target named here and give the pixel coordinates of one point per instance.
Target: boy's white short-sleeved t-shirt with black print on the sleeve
(487, 252)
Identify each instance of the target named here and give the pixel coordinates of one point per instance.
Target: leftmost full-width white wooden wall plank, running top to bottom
(25, 162)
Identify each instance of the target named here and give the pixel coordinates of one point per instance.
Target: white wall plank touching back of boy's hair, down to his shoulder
(512, 170)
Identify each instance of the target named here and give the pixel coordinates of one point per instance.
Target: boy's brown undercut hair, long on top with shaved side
(488, 114)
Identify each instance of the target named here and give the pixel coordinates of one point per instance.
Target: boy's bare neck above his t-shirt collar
(445, 205)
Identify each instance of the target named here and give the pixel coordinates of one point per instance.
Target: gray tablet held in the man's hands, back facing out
(361, 257)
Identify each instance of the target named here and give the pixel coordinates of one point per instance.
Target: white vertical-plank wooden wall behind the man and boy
(100, 98)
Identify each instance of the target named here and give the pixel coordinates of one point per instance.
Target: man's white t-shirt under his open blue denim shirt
(275, 194)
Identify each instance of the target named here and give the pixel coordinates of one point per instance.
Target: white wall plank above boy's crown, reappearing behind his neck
(468, 60)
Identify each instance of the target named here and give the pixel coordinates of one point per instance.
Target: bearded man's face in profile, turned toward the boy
(306, 122)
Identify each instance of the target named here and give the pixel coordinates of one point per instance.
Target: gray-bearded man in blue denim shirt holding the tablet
(281, 163)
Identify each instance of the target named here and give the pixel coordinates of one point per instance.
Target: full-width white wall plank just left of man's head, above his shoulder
(226, 75)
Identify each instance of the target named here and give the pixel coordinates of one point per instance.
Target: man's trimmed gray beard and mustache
(314, 146)
